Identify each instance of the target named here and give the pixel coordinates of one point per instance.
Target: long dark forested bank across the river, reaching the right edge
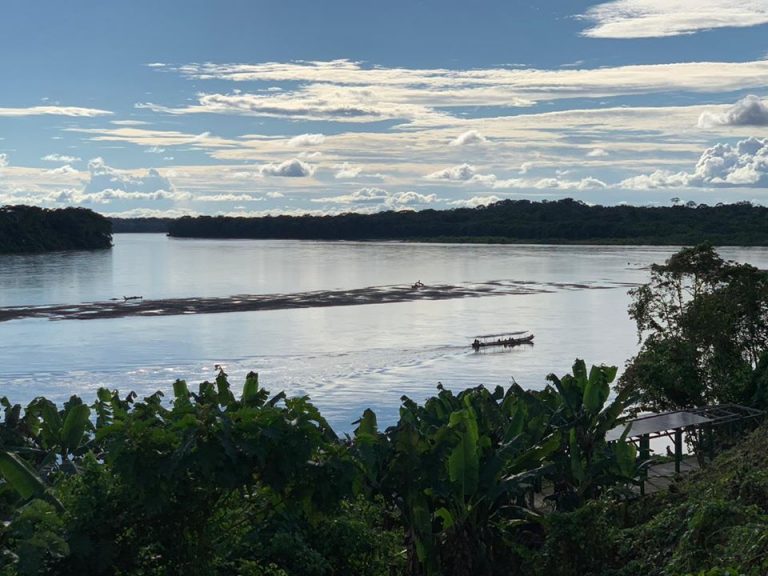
(509, 221)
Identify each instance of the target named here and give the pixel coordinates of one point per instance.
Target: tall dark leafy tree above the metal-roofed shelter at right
(703, 325)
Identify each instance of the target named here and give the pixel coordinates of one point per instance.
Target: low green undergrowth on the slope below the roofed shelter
(713, 524)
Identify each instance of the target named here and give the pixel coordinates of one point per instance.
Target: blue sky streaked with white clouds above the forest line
(175, 107)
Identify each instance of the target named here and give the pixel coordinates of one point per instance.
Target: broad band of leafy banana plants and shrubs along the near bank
(214, 484)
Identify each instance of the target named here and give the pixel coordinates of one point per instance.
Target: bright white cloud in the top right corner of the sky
(657, 18)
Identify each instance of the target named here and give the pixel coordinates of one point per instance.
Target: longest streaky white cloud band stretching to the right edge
(346, 91)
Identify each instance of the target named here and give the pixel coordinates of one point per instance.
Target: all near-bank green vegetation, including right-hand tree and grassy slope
(209, 483)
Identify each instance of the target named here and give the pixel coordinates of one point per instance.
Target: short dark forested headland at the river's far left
(32, 229)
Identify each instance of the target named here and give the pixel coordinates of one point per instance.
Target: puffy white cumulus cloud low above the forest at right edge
(744, 164)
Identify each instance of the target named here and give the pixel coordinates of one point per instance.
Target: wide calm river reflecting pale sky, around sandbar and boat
(346, 358)
